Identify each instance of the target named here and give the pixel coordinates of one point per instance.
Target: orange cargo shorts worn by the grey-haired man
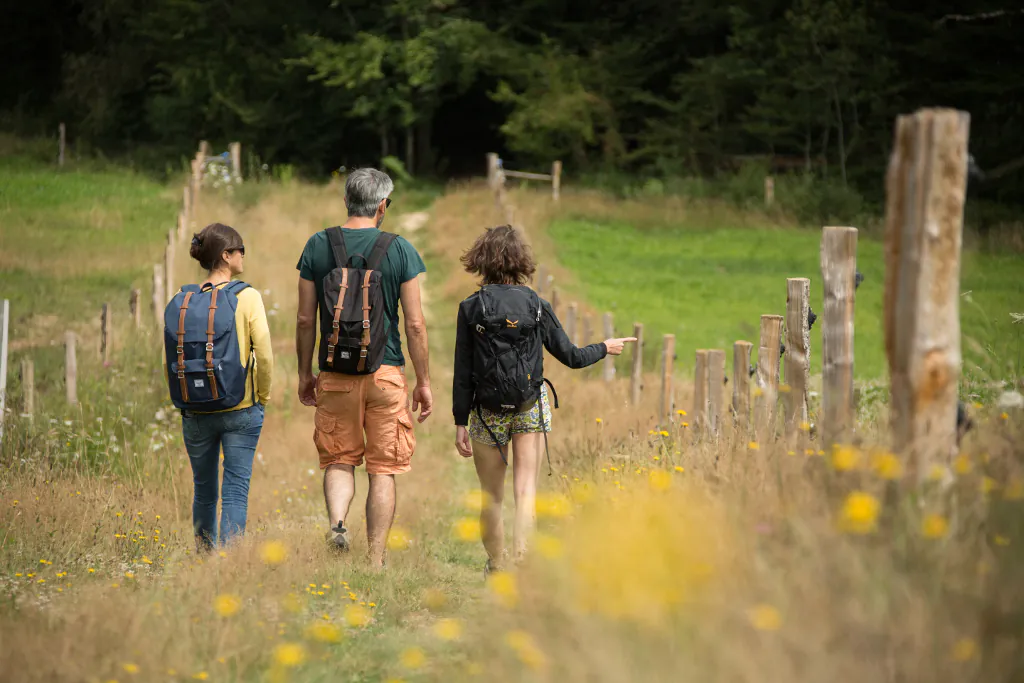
(348, 406)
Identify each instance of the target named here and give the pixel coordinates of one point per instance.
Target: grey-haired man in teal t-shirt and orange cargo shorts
(377, 405)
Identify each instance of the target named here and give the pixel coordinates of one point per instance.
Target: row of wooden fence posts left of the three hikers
(163, 291)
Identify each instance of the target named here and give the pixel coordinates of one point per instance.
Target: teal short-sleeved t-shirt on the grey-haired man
(401, 265)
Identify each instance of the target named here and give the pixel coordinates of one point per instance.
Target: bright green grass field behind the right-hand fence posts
(710, 287)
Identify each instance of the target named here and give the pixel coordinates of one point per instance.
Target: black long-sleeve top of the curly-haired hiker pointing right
(556, 340)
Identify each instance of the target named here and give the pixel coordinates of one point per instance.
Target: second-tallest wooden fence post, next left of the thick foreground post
(839, 268)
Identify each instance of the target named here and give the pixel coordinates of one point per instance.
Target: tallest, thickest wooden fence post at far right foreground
(925, 194)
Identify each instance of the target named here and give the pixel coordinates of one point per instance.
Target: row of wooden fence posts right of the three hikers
(926, 187)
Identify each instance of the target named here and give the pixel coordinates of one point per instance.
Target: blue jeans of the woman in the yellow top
(205, 435)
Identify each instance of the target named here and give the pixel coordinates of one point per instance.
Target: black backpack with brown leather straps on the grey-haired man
(354, 326)
